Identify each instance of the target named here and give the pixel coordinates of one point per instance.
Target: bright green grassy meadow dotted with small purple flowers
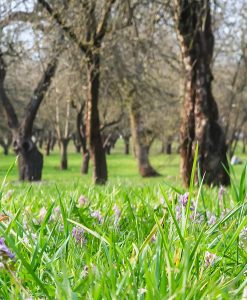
(131, 239)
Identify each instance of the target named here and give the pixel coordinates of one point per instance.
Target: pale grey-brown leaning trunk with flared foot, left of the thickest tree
(139, 141)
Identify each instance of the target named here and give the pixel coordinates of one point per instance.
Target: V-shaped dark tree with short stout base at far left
(30, 160)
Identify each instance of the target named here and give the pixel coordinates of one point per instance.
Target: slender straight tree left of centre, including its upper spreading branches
(90, 44)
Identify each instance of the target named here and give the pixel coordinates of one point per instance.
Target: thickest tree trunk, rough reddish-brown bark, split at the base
(200, 112)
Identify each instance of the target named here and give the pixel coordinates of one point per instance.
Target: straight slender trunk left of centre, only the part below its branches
(97, 152)
